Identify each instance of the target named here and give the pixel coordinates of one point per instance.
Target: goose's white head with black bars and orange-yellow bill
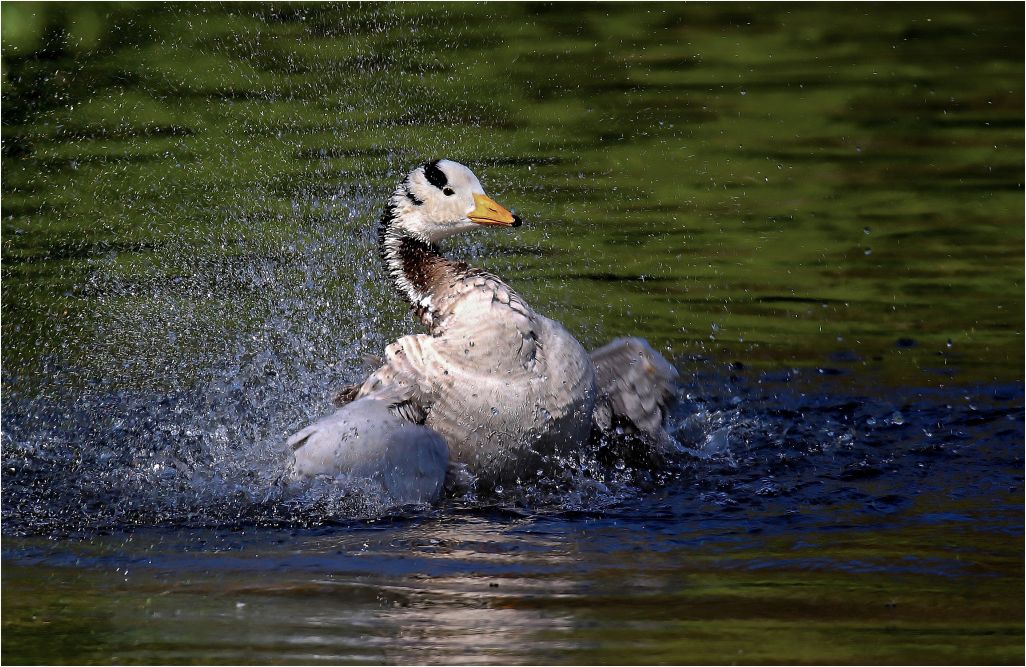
(443, 199)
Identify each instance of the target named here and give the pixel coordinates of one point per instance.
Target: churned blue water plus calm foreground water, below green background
(806, 512)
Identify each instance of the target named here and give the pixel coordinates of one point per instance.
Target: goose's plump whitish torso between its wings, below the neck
(507, 387)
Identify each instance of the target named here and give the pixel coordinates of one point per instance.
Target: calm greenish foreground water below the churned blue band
(503, 598)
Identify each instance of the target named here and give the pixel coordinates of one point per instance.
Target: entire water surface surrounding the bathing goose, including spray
(818, 218)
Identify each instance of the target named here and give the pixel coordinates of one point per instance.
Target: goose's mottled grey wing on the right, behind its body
(637, 389)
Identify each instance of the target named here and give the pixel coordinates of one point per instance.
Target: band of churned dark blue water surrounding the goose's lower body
(760, 451)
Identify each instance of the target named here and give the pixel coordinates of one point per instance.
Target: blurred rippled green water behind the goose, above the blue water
(771, 183)
